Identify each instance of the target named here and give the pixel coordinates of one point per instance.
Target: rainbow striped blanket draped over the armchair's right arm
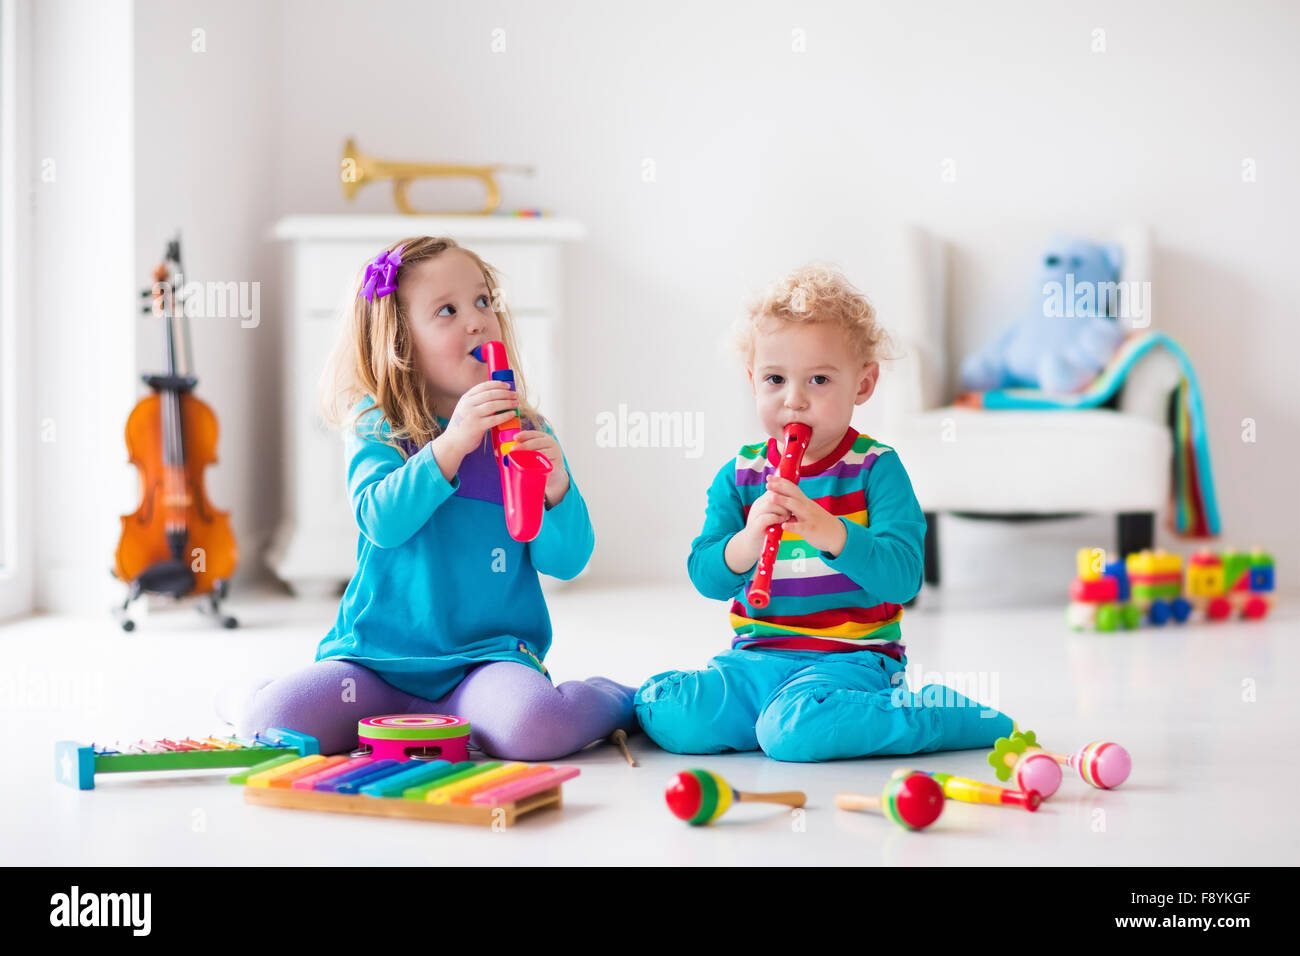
(1195, 509)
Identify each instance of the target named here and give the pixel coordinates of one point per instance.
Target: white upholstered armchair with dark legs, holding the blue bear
(1015, 465)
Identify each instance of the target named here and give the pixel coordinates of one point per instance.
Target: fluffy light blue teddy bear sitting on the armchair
(1069, 336)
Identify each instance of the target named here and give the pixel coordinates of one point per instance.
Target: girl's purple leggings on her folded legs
(514, 711)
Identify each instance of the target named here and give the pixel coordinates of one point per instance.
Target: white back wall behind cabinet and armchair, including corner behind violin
(764, 158)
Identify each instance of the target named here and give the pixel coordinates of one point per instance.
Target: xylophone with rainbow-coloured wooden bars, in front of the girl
(452, 791)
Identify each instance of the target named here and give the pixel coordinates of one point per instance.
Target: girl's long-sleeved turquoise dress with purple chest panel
(440, 586)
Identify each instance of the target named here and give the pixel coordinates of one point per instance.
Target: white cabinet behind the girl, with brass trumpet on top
(314, 548)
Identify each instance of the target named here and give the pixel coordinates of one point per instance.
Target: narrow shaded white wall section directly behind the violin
(207, 96)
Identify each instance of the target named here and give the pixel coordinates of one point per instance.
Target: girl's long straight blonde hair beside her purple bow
(375, 356)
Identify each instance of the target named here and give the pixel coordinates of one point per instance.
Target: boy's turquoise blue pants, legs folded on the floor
(808, 706)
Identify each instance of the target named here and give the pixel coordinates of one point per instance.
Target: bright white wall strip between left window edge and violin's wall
(80, 296)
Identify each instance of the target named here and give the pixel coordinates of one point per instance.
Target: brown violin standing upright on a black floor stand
(176, 543)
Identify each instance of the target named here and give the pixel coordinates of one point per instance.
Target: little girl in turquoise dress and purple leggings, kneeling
(445, 613)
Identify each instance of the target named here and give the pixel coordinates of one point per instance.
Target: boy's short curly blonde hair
(816, 293)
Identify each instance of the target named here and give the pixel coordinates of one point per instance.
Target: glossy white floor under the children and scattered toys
(1210, 715)
